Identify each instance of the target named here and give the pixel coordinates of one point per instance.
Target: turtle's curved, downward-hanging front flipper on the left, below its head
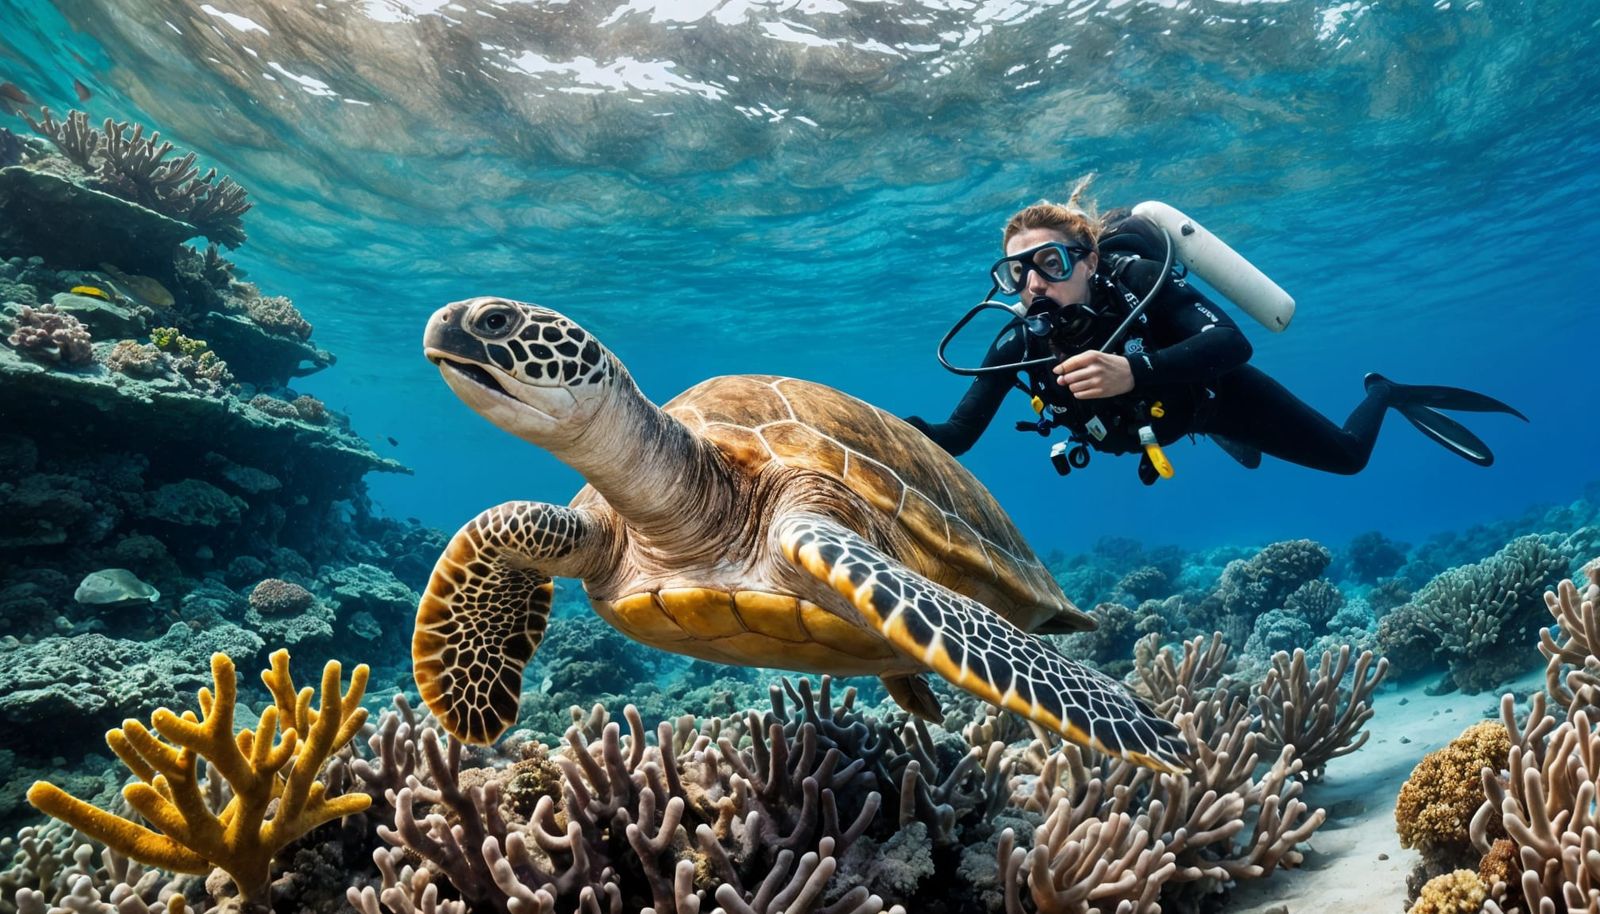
(486, 609)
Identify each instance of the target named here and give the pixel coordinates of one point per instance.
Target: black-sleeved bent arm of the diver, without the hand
(1212, 343)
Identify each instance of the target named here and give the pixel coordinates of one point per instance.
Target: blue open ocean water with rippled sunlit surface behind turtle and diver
(815, 190)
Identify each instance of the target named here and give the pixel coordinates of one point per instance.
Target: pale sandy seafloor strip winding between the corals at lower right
(1356, 864)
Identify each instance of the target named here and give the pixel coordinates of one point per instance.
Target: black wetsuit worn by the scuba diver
(1188, 361)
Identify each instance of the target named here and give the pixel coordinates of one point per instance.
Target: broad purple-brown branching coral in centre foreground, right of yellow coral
(751, 814)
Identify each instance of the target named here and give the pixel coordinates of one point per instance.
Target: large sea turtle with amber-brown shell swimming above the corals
(753, 521)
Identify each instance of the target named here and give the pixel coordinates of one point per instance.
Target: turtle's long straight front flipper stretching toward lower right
(978, 651)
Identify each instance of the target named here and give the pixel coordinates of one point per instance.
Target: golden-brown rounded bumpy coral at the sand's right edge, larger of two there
(1444, 793)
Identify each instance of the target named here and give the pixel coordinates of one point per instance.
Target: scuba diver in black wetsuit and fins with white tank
(1113, 345)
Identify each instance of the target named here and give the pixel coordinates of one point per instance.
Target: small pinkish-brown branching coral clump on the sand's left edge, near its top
(1306, 713)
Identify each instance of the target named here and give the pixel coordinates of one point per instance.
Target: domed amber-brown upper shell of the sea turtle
(958, 532)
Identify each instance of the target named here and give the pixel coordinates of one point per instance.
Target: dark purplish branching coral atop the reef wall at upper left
(138, 169)
